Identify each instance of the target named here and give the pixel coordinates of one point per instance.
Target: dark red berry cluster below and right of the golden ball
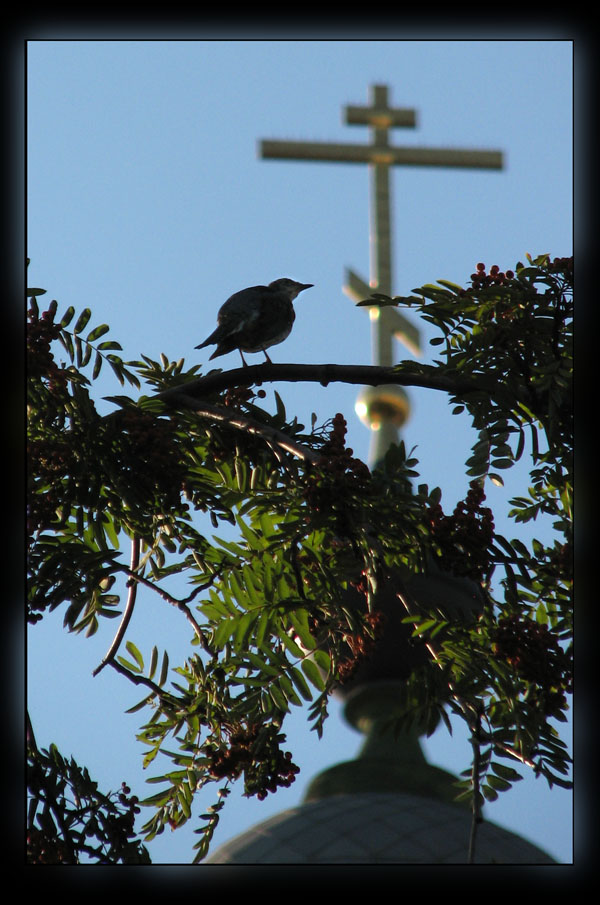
(464, 537)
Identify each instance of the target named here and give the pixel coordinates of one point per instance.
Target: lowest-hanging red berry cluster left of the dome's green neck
(260, 759)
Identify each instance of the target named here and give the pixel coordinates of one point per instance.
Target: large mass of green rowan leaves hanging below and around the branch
(269, 544)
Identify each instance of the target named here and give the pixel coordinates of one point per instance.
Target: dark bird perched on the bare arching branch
(255, 318)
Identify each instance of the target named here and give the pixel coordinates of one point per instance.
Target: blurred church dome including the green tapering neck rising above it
(387, 806)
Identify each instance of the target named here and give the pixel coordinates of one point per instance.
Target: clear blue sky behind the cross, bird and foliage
(148, 203)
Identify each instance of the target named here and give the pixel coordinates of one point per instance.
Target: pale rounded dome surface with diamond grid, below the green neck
(375, 828)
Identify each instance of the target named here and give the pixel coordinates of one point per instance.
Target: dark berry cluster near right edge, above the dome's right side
(535, 654)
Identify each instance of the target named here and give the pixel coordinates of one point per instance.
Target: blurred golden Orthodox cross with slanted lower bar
(380, 155)
